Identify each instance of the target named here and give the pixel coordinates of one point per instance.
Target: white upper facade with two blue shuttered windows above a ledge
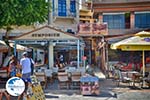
(65, 15)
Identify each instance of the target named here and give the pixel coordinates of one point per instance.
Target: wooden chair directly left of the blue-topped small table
(75, 79)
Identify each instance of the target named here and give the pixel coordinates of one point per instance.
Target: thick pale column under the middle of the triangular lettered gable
(51, 55)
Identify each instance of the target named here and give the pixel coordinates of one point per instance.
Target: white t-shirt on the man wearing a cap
(25, 63)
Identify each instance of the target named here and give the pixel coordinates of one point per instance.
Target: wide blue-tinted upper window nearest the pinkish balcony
(115, 21)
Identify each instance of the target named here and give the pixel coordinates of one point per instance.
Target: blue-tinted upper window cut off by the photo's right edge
(142, 20)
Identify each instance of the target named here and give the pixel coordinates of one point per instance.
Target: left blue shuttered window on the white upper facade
(62, 7)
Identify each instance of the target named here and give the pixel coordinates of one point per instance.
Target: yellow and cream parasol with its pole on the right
(139, 42)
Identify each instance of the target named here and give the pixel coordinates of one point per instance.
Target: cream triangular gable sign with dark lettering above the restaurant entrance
(46, 32)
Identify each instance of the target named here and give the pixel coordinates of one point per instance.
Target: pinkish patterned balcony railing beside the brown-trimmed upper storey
(93, 28)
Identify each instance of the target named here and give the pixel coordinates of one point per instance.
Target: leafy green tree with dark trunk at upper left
(21, 12)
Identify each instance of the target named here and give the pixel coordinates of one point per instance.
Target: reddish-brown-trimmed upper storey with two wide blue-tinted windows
(123, 16)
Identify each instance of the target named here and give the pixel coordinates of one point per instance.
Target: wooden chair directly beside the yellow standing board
(41, 77)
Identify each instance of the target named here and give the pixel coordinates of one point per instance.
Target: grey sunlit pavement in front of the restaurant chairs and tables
(108, 91)
